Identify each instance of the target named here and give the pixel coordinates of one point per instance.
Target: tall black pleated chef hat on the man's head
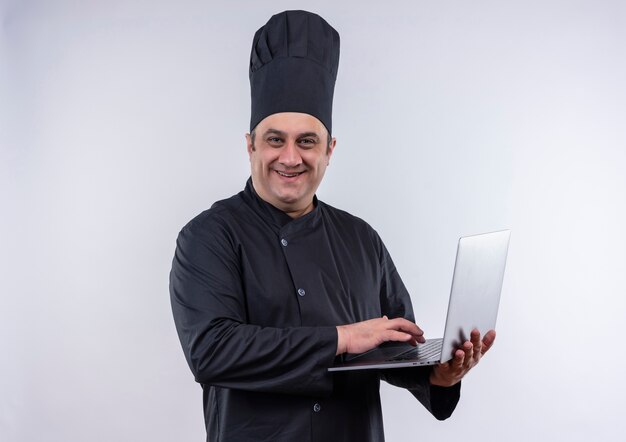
(293, 67)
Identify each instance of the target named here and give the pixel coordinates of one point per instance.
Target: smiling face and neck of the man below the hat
(288, 158)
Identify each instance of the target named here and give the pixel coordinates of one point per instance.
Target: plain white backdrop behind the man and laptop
(122, 119)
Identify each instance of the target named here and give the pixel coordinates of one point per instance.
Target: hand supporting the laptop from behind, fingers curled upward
(465, 358)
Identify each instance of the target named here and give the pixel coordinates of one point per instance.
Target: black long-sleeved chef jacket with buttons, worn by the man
(257, 296)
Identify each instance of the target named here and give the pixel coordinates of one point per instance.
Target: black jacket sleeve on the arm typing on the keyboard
(208, 303)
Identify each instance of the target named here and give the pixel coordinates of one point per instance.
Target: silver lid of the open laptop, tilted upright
(476, 287)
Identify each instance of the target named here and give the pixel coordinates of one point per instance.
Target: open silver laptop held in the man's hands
(474, 301)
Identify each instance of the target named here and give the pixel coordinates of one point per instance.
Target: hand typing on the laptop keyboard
(366, 335)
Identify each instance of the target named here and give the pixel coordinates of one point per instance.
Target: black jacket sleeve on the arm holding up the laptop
(396, 302)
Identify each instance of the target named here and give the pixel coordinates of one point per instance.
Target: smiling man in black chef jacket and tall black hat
(271, 285)
